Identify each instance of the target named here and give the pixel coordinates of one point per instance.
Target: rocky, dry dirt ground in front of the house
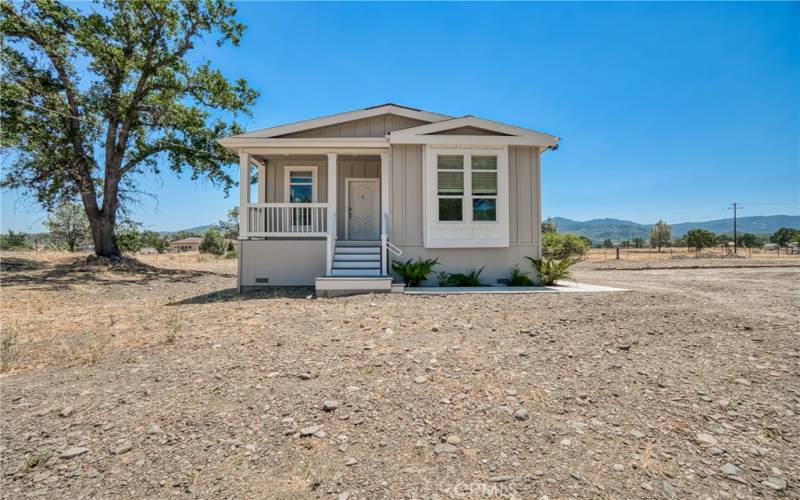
(158, 382)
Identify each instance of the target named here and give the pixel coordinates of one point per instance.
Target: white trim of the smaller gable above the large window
(425, 134)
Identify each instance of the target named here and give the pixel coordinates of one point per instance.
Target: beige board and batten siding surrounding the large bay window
(406, 215)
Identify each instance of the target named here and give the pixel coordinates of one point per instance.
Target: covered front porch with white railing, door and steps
(337, 196)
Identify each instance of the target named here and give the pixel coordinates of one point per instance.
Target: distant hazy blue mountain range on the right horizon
(598, 230)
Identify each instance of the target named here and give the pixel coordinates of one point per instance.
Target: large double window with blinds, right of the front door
(466, 188)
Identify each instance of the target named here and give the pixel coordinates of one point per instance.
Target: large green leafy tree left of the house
(91, 100)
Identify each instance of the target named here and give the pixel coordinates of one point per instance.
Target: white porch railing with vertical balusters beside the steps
(287, 219)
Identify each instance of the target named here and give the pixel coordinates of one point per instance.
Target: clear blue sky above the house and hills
(666, 110)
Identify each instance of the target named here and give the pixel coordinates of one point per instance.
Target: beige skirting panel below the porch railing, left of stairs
(284, 262)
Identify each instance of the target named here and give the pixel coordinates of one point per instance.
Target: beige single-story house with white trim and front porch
(340, 197)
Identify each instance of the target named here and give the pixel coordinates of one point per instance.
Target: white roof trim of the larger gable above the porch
(336, 119)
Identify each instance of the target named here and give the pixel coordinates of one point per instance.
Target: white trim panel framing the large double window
(466, 233)
